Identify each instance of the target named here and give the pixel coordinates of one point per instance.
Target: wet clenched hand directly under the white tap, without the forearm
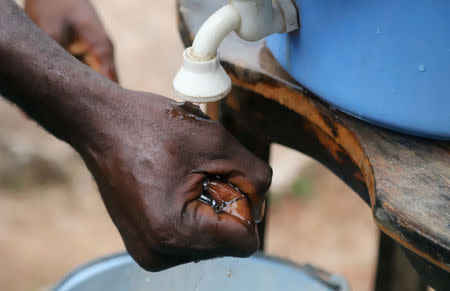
(150, 158)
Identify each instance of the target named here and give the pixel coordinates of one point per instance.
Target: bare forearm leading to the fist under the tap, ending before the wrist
(39, 76)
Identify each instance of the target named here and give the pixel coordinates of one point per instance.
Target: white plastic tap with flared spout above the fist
(202, 77)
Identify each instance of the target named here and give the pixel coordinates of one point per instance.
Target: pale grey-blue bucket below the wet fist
(259, 272)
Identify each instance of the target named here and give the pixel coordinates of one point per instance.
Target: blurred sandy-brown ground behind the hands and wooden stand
(52, 218)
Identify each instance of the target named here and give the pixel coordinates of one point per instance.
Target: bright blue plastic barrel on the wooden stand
(386, 62)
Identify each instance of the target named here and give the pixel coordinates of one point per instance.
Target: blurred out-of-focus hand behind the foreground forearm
(75, 25)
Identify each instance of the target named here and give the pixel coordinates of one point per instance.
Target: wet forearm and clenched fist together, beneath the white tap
(148, 155)
